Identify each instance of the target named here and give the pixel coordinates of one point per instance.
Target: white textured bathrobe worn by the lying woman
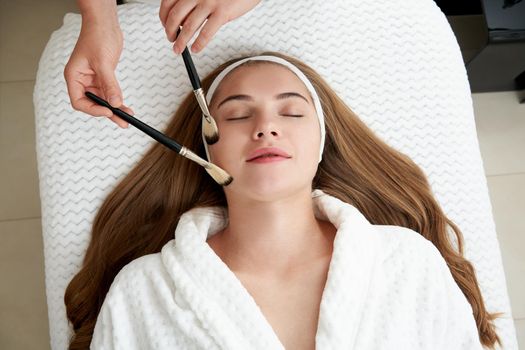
(387, 288)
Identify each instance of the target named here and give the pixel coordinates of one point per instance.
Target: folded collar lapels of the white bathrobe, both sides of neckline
(228, 313)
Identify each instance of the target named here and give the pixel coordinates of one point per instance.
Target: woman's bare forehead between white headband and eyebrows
(259, 78)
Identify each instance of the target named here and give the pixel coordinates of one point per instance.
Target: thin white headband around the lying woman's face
(294, 69)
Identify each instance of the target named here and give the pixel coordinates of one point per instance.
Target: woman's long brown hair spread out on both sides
(141, 213)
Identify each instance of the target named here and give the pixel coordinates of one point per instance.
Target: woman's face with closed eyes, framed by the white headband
(265, 105)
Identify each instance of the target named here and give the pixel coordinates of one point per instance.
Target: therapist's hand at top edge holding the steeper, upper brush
(191, 14)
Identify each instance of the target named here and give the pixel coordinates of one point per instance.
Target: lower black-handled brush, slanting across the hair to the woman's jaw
(219, 175)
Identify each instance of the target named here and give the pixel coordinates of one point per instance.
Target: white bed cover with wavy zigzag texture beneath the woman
(396, 63)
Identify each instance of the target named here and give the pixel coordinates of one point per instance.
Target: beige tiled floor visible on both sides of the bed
(25, 27)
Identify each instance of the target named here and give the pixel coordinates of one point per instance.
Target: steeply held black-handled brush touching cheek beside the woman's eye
(209, 126)
